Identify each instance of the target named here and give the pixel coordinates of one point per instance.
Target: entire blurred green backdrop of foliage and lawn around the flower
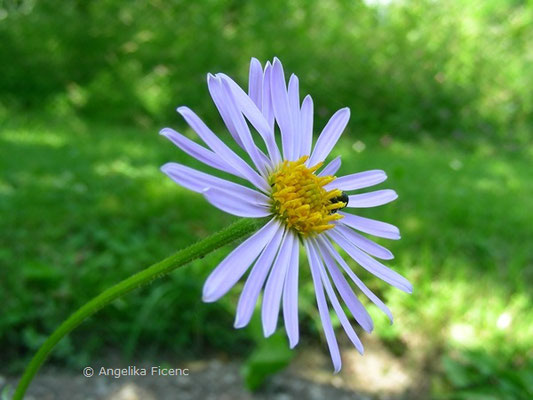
(441, 94)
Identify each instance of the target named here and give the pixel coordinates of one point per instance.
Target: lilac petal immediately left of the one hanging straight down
(274, 285)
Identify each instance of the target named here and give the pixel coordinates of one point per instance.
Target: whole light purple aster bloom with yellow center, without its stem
(306, 204)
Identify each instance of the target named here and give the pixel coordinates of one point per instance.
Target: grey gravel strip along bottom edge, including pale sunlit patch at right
(376, 376)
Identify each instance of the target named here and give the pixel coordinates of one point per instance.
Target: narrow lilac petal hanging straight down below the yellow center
(290, 297)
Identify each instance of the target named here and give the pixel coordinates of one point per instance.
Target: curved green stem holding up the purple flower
(238, 230)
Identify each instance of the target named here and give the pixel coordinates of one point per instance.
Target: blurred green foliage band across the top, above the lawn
(457, 68)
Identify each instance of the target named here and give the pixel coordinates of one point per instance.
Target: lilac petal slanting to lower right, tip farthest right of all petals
(375, 267)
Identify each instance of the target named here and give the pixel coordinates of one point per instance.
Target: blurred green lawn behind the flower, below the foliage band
(84, 205)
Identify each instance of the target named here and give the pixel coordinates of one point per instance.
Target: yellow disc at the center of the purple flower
(300, 200)
